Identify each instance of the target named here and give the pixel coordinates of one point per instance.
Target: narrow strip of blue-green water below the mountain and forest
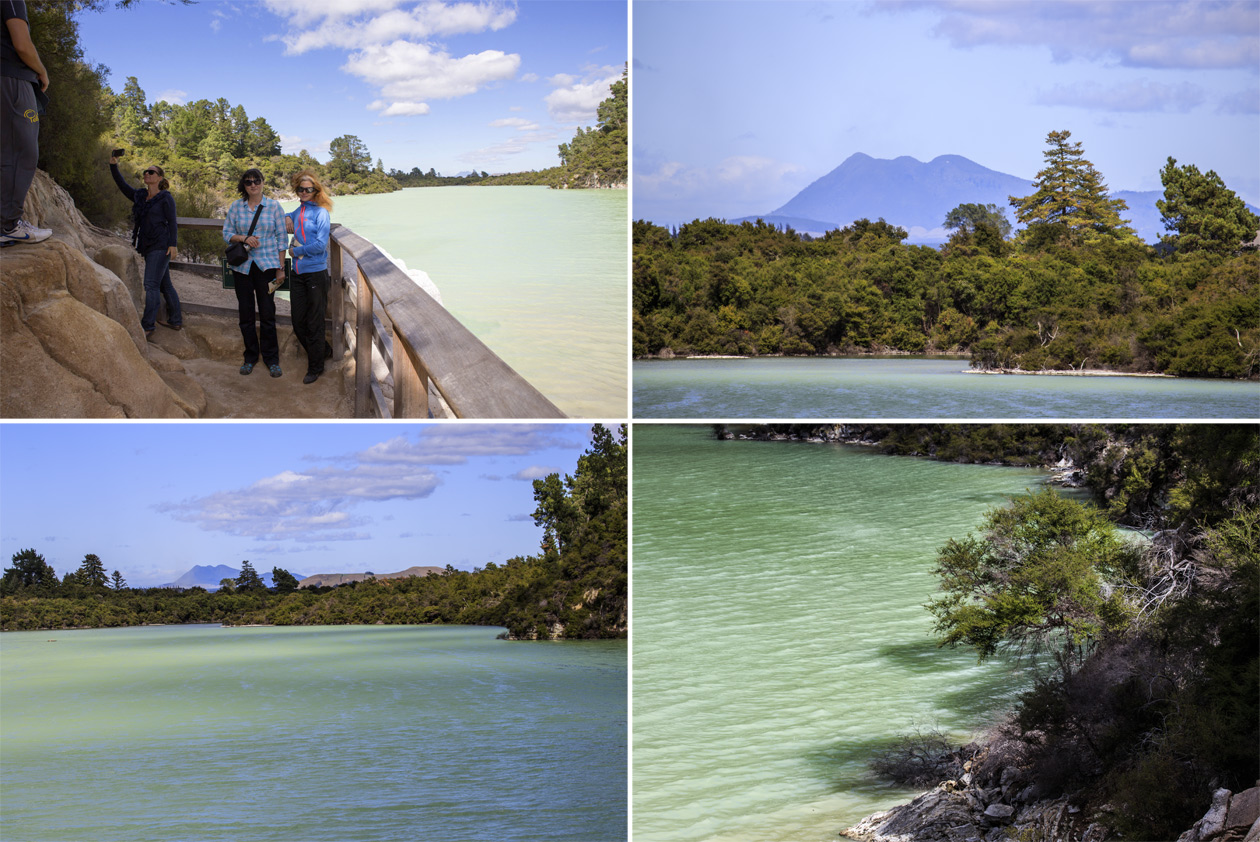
(866, 388)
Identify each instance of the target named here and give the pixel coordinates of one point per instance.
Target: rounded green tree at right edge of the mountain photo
(1203, 214)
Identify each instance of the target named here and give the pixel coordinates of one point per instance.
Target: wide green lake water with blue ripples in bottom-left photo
(304, 734)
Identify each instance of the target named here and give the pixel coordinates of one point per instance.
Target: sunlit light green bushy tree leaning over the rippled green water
(1044, 575)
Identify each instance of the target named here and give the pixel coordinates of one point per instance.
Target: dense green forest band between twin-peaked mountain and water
(1062, 294)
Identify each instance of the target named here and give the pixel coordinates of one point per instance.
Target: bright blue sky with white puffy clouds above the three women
(455, 86)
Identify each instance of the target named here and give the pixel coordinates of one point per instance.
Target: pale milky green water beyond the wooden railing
(539, 275)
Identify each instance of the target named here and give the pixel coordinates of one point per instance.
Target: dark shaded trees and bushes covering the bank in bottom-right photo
(1150, 695)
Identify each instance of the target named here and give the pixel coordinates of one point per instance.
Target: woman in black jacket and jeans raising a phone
(156, 236)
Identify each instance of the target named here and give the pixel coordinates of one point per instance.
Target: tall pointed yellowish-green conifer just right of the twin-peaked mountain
(1070, 197)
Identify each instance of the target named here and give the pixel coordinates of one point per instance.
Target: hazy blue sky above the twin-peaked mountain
(739, 107)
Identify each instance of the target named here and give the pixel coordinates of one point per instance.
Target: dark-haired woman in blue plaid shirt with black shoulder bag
(254, 278)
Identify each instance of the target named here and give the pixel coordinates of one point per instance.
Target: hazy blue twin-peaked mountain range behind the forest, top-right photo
(915, 196)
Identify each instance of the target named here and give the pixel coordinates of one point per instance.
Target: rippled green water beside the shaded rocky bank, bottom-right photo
(779, 632)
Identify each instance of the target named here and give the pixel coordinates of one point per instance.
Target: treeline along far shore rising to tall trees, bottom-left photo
(576, 588)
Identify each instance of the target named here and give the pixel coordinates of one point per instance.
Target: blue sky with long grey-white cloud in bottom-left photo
(156, 500)
